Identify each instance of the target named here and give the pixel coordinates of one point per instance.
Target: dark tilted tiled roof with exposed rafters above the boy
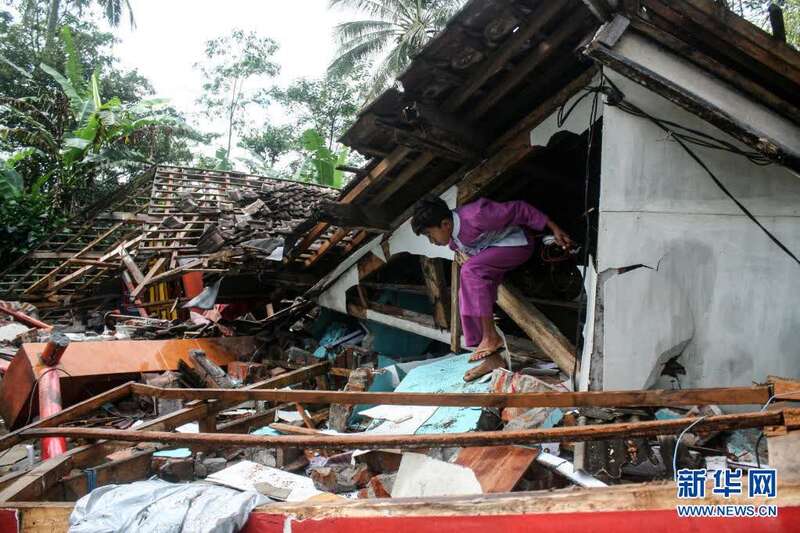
(471, 97)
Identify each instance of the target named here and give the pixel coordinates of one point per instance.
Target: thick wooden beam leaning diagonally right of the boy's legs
(538, 327)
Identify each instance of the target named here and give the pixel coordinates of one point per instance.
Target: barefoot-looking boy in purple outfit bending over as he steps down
(495, 237)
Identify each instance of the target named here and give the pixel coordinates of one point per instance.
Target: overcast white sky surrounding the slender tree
(170, 36)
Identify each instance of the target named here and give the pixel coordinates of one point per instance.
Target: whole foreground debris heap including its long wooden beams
(234, 418)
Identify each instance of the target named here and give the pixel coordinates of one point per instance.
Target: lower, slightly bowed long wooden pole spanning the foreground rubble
(437, 440)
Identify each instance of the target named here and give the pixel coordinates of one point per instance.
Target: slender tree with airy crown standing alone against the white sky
(233, 61)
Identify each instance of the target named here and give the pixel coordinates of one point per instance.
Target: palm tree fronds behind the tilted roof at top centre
(394, 31)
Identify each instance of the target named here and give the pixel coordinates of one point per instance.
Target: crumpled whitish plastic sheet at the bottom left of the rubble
(157, 506)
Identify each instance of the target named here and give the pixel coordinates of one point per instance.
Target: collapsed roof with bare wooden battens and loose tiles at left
(166, 213)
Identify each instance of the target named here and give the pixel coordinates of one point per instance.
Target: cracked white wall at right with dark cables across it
(717, 289)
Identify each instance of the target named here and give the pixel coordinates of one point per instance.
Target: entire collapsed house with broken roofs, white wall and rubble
(664, 136)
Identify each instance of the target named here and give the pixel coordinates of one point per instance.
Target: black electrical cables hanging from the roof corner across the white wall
(678, 133)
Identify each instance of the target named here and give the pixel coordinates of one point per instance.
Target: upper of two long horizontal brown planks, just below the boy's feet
(756, 395)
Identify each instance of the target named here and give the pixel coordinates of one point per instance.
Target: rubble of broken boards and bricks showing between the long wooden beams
(355, 364)
